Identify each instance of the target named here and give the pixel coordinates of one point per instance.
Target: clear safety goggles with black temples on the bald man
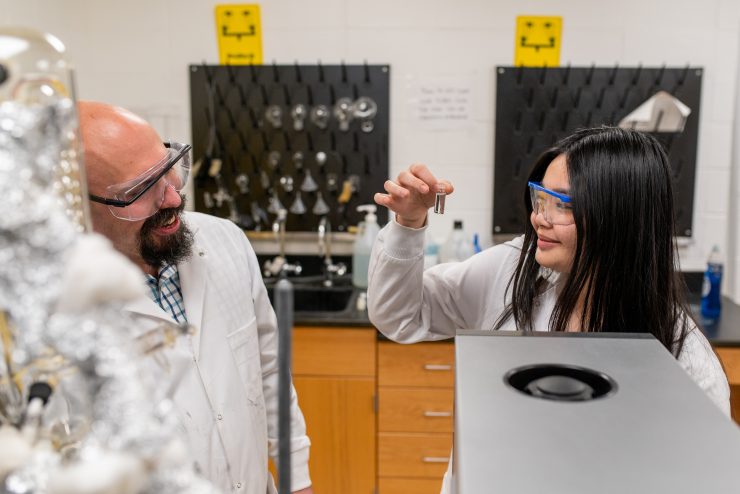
(141, 197)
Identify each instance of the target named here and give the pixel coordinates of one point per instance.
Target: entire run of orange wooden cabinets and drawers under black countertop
(380, 414)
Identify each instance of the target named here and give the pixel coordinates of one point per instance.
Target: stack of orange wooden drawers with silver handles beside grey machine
(416, 396)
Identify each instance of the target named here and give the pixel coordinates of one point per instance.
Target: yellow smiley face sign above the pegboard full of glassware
(239, 33)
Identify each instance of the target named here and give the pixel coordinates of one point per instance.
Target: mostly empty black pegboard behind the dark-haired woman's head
(536, 107)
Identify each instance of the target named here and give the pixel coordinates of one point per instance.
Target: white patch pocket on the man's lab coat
(244, 345)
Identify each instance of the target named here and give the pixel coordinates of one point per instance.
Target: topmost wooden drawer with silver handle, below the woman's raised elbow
(421, 364)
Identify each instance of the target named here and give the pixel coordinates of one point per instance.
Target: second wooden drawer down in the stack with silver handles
(415, 409)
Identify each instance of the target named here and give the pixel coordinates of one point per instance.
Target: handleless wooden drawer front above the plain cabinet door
(334, 352)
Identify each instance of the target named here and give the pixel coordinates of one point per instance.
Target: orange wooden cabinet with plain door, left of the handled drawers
(334, 373)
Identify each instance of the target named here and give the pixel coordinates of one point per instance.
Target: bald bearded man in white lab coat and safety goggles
(203, 271)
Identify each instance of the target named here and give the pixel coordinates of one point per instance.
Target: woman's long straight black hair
(625, 262)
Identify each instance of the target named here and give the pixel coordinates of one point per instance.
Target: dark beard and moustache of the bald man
(158, 251)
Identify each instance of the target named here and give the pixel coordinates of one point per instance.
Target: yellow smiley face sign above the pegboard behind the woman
(537, 41)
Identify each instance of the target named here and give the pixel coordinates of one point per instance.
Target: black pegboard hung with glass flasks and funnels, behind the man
(230, 126)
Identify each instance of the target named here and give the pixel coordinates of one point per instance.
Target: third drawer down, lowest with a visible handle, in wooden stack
(413, 455)
